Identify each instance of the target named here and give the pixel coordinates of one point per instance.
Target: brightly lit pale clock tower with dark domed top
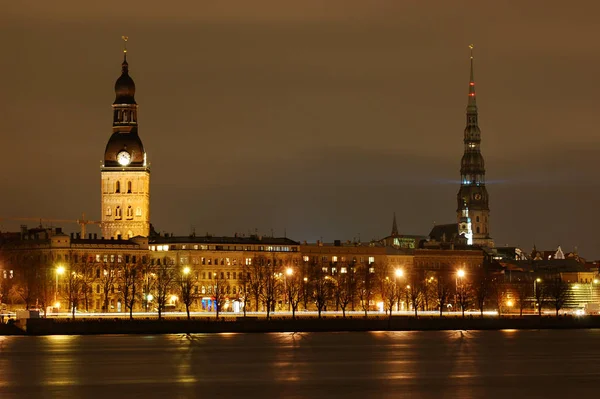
(125, 173)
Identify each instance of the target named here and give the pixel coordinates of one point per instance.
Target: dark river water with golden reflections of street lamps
(473, 364)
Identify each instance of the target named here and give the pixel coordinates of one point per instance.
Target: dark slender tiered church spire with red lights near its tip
(473, 197)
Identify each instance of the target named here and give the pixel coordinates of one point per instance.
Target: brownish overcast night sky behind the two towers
(319, 120)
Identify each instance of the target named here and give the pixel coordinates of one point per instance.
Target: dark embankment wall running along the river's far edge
(59, 326)
